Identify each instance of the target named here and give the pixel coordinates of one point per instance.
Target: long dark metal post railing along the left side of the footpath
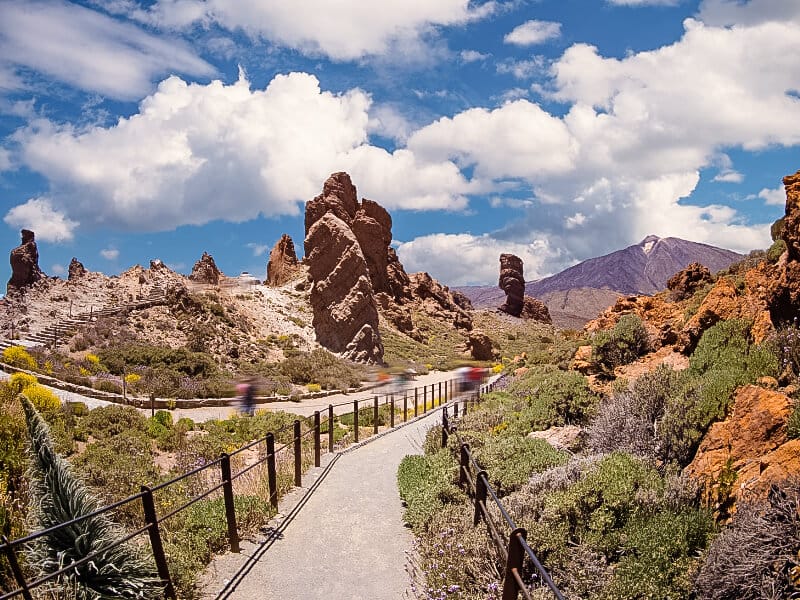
(420, 400)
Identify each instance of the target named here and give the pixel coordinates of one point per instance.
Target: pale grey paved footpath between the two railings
(339, 536)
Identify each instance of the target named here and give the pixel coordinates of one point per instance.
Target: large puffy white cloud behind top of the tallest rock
(195, 153)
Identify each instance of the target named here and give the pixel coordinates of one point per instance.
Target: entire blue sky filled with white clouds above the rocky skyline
(554, 129)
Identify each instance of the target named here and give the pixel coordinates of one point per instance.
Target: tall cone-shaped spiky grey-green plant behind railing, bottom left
(60, 497)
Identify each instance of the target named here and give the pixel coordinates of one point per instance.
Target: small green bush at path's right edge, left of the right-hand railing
(426, 485)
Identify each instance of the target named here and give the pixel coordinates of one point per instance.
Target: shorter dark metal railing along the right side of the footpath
(475, 481)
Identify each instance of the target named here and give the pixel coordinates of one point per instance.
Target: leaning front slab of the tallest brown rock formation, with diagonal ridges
(345, 314)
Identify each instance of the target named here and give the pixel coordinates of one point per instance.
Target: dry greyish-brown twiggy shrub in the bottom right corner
(756, 556)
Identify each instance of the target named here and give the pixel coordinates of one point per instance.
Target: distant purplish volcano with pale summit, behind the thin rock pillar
(578, 293)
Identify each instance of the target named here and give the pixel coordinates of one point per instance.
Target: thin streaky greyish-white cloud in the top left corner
(89, 50)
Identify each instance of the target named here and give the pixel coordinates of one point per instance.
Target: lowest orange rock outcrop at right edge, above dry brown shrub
(752, 443)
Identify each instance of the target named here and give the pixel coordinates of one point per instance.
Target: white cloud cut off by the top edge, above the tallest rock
(344, 30)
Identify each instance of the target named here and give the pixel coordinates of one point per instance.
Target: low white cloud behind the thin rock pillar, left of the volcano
(464, 259)
